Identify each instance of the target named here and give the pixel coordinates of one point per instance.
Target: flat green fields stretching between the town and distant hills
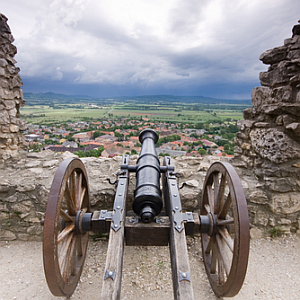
(45, 114)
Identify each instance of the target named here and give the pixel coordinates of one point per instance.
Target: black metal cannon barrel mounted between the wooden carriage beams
(147, 201)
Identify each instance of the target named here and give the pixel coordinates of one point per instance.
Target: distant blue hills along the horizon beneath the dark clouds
(52, 98)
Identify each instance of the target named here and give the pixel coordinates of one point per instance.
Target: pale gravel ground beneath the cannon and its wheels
(273, 271)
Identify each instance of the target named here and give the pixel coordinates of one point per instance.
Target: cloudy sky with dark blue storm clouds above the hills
(110, 48)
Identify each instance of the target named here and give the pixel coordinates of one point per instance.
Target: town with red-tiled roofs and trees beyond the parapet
(110, 137)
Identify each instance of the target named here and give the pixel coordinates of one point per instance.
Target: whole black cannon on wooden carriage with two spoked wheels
(157, 219)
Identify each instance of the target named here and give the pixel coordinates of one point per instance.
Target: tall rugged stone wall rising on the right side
(268, 144)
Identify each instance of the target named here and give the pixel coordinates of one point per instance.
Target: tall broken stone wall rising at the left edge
(11, 97)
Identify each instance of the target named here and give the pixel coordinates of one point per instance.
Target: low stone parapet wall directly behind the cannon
(25, 185)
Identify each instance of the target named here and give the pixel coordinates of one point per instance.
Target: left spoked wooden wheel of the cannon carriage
(64, 246)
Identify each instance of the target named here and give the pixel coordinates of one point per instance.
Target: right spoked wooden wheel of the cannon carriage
(225, 245)
